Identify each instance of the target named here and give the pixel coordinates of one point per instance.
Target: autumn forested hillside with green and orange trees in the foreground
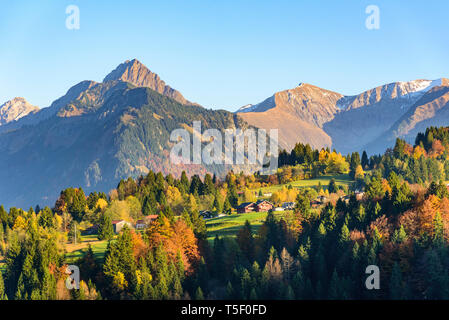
(390, 217)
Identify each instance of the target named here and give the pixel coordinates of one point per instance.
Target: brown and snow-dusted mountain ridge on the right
(323, 118)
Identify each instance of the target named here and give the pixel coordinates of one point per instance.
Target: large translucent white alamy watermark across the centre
(241, 147)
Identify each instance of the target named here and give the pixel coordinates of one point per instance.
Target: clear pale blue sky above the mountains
(221, 54)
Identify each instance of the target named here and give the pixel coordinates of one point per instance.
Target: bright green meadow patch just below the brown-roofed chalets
(229, 226)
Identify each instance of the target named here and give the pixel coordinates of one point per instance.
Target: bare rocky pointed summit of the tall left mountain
(135, 72)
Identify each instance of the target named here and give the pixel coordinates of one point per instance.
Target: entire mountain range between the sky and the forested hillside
(100, 132)
